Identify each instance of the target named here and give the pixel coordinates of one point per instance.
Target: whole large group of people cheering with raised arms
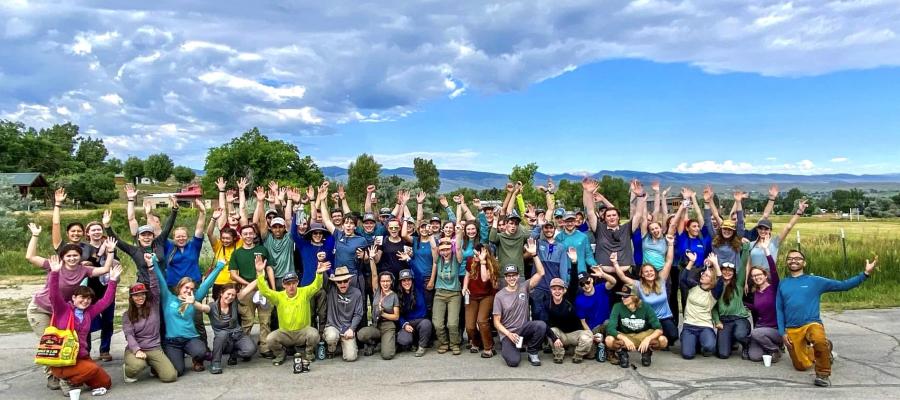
(320, 280)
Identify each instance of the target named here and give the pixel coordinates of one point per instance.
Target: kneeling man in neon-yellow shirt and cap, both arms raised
(294, 311)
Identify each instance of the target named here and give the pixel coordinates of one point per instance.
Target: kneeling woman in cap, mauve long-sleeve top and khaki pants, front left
(140, 324)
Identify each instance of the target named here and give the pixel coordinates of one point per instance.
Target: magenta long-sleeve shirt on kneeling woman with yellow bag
(62, 311)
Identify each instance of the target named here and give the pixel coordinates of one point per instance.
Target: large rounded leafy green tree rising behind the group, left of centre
(253, 156)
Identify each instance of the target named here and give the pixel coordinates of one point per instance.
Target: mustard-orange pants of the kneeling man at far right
(810, 346)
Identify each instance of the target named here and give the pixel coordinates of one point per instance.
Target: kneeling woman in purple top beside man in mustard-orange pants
(764, 338)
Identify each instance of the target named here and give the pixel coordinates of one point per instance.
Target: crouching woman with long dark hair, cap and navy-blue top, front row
(413, 313)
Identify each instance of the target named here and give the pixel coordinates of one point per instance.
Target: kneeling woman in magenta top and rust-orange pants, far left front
(79, 314)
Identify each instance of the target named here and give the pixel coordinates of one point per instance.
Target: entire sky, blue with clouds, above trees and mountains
(755, 86)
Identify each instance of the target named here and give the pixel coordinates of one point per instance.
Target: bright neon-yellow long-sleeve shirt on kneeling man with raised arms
(293, 312)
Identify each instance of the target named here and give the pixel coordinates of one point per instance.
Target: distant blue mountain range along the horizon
(453, 179)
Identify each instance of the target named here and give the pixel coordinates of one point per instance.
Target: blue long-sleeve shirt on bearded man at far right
(798, 298)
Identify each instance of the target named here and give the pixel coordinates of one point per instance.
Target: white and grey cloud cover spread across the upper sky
(209, 67)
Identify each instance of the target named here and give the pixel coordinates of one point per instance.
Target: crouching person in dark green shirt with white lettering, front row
(632, 326)
